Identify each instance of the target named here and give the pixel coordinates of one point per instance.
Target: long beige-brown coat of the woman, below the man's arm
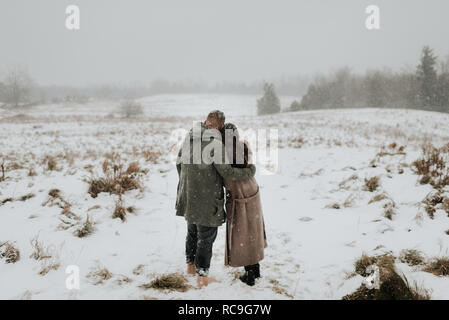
(245, 228)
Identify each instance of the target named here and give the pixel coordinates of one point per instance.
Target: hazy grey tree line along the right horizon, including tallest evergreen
(426, 88)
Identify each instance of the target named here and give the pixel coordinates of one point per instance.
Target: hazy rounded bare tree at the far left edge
(17, 86)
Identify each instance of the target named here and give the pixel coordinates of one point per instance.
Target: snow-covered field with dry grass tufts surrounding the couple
(319, 217)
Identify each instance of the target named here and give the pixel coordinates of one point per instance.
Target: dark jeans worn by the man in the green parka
(199, 242)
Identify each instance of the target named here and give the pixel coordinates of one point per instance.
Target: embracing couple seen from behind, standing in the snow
(213, 160)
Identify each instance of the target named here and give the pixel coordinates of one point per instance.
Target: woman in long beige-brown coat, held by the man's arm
(245, 229)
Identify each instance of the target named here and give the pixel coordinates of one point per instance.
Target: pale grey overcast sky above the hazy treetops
(210, 40)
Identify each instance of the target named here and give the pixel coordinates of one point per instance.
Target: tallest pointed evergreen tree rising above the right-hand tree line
(427, 78)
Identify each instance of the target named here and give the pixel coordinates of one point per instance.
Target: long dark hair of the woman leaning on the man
(237, 145)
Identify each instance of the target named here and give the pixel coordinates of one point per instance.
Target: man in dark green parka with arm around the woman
(202, 165)
